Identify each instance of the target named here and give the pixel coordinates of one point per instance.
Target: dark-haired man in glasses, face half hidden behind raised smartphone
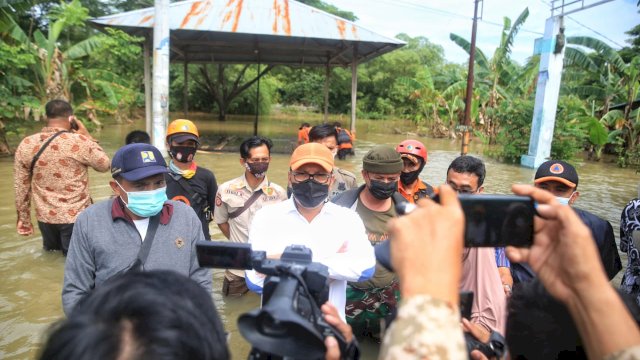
(466, 175)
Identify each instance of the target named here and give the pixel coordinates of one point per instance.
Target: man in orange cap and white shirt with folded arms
(335, 235)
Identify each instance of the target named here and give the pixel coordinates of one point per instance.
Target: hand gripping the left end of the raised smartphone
(426, 247)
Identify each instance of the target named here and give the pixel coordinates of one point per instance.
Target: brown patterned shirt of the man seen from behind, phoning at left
(59, 184)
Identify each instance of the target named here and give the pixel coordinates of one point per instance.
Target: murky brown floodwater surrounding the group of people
(32, 279)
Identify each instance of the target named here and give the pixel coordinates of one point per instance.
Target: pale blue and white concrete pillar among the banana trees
(547, 93)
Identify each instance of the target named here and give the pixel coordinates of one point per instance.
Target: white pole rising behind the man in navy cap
(160, 74)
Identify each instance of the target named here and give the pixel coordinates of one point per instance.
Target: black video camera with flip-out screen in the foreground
(290, 322)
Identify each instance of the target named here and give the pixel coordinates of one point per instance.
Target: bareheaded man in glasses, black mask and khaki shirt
(239, 199)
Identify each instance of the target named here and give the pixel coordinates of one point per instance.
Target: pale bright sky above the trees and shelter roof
(435, 19)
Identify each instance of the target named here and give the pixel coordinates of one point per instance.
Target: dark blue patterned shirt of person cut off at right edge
(630, 222)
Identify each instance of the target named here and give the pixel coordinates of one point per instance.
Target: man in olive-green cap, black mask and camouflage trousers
(369, 302)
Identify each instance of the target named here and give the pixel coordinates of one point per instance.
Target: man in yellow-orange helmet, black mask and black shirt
(186, 181)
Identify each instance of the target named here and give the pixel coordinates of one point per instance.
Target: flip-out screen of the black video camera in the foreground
(224, 254)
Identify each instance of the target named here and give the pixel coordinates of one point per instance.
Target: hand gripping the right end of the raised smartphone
(563, 253)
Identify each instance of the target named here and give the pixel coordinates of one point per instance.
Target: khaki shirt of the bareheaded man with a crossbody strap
(232, 195)
